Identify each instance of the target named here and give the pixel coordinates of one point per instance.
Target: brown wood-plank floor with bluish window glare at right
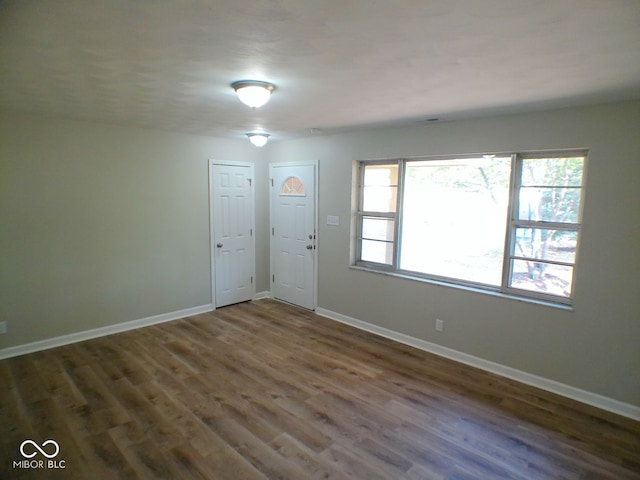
(265, 390)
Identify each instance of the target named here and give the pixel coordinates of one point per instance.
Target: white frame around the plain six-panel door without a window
(212, 256)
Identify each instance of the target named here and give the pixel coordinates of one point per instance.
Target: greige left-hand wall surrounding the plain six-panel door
(104, 224)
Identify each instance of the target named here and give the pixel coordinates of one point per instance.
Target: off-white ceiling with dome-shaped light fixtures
(338, 64)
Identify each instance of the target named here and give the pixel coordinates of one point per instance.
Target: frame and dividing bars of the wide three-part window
(512, 224)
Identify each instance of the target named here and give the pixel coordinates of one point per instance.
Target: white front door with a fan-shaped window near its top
(293, 233)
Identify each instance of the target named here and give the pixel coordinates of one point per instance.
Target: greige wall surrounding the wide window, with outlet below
(595, 347)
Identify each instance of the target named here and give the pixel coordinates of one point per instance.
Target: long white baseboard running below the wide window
(594, 399)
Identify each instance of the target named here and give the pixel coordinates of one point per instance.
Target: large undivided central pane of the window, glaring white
(455, 214)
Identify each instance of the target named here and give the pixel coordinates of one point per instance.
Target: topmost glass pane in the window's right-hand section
(552, 172)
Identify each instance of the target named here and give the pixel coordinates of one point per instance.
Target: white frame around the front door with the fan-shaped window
(316, 166)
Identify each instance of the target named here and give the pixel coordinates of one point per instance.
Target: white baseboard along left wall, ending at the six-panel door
(101, 332)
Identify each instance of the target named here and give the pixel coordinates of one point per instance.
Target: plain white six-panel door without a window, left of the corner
(232, 225)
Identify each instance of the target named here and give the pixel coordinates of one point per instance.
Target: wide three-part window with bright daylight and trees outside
(507, 223)
